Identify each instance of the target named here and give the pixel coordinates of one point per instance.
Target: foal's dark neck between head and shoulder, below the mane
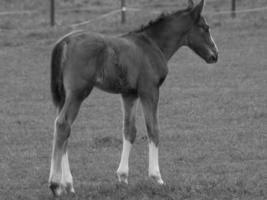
(169, 35)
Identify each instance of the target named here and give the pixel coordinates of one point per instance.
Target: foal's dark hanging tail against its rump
(57, 87)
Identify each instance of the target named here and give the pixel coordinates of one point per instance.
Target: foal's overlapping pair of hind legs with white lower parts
(60, 179)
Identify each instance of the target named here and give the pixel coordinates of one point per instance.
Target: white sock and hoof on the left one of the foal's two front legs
(123, 169)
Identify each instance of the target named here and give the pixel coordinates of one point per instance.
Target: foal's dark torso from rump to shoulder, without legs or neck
(113, 64)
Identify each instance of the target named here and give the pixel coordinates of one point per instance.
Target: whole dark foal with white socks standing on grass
(133, 65)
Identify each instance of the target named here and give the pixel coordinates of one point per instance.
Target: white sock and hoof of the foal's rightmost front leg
(153, 170)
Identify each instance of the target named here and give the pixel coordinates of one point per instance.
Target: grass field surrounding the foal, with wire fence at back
(213, 118)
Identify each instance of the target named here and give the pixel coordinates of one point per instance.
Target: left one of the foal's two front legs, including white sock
(129, 133)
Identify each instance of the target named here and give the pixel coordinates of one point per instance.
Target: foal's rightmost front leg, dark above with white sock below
(149, 102)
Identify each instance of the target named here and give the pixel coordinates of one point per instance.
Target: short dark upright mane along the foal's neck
(159, 19)
